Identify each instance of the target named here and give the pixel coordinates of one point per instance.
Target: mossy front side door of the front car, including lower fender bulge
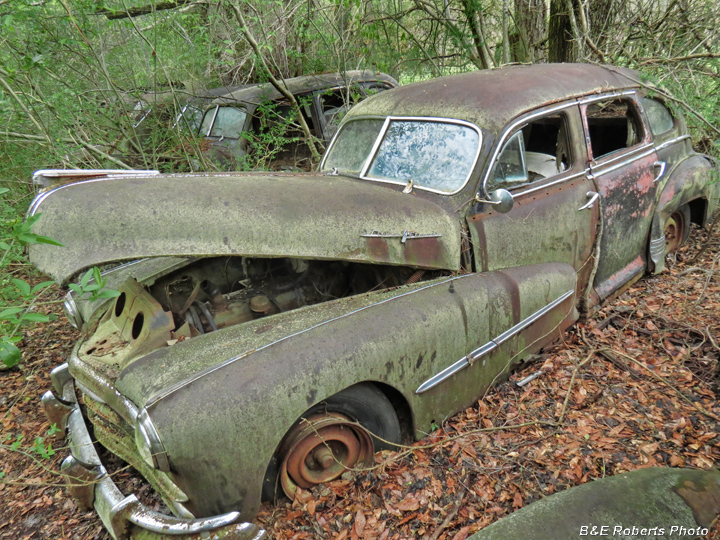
(543, 246)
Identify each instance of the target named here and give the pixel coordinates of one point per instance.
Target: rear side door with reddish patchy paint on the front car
(625, 168)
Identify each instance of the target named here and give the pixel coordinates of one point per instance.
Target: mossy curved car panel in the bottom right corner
(650, 499)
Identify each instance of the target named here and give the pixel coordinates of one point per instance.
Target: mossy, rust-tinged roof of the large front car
(490, 98)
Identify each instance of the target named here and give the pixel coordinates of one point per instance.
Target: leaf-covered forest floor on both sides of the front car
(636, 385)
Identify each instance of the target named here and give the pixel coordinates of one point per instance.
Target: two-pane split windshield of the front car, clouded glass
(435, 154)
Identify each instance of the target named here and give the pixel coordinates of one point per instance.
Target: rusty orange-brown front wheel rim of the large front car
(320, 449)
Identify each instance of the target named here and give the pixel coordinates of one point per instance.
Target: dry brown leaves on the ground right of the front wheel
(646, 396)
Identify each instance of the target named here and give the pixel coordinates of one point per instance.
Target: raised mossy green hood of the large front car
(254, 214)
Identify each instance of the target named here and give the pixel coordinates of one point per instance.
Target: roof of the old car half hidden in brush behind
(300, 85)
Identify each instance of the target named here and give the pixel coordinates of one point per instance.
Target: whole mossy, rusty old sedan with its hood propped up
(273, 329)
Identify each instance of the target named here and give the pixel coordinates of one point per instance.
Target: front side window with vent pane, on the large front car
(541, 149)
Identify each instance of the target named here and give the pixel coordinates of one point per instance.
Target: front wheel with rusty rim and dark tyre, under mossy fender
(336, 435)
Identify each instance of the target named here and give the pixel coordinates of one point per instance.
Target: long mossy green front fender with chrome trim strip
(431, 328)
